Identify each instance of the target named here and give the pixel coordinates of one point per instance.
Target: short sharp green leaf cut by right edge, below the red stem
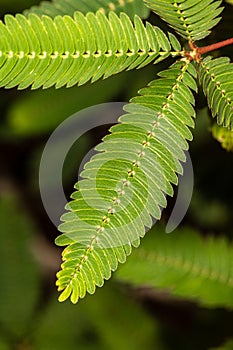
(216, 79)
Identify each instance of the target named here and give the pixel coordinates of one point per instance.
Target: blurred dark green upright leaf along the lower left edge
(18, 271)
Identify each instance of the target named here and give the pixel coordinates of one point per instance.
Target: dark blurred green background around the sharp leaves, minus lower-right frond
(116, 317)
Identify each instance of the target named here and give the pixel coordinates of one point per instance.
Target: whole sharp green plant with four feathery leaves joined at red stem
(124, 186)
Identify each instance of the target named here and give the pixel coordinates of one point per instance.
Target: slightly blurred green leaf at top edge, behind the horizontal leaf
(68, 7)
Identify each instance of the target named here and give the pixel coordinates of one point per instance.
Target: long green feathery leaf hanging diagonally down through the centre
(121, 190)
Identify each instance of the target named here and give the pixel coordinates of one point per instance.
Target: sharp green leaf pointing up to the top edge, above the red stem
(192, 19)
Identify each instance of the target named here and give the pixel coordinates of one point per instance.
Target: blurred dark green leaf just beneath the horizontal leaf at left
(40, 111)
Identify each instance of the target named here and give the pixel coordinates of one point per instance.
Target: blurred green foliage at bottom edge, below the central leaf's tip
(109, 320)
